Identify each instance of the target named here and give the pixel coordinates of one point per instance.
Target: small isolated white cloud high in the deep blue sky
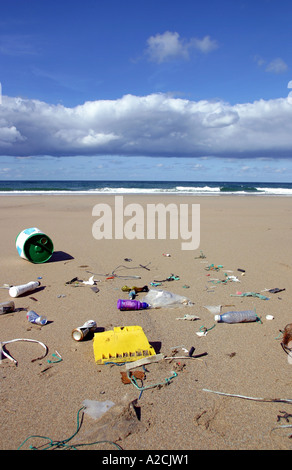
(169, 45)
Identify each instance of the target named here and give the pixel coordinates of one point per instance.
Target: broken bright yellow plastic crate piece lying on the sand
(122, 344)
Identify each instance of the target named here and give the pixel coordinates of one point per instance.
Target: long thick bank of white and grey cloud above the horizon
(152, 125)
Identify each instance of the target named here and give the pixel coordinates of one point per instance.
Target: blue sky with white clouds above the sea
(183, 90)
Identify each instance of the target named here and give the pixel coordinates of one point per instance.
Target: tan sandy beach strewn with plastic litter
(42, 398)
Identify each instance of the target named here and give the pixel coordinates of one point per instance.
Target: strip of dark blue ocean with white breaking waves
(206, 188)
